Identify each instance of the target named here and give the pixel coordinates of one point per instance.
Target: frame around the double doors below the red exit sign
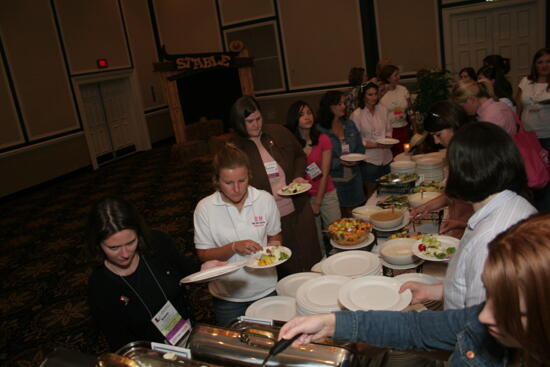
(139, 124)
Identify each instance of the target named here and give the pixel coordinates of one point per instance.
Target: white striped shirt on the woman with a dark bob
(463, 286)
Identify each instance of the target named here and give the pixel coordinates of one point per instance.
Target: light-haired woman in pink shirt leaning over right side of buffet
(478, 100)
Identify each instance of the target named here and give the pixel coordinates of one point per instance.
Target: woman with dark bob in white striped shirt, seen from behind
(486, 170)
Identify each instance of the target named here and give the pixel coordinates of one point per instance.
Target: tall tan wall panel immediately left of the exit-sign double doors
(37, 68)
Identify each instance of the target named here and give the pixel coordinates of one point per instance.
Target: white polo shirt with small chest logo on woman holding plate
(218, 223)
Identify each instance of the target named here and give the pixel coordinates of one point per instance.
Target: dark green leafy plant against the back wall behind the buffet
(433, 86)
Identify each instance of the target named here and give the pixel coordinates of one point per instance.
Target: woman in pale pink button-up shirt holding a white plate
(371, 119)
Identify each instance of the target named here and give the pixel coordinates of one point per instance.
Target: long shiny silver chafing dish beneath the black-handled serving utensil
(247, 344)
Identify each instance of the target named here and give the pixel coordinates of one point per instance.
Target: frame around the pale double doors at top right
(450, 11)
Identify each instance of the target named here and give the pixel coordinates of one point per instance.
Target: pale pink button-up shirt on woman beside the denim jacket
(374, 126)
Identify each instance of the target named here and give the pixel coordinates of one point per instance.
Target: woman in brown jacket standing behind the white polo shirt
(277, 159)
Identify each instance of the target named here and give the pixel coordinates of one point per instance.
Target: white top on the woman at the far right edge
(535, 116)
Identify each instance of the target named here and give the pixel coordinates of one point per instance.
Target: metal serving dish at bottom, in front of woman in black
(141, 353)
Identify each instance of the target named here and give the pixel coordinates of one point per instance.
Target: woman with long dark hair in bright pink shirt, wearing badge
(318, 149)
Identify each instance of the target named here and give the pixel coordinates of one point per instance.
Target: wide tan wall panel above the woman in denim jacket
(314, 60)
